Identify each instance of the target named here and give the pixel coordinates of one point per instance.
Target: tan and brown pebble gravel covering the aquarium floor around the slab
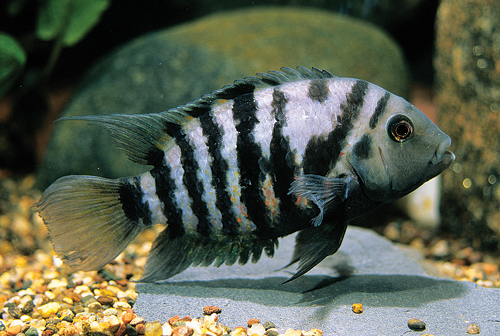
(39, 295)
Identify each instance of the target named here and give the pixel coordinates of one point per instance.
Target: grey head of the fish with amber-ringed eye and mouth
(404, 150)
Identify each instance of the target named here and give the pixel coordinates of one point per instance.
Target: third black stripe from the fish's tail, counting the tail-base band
(190, 178)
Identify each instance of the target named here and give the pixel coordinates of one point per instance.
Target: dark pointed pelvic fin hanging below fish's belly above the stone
(314, 244)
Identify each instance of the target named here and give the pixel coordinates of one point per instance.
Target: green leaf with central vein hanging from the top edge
(68, 19)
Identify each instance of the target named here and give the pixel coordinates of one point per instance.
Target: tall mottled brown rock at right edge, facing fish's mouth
(468, 73)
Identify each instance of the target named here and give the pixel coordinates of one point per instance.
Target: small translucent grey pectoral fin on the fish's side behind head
(325, 192)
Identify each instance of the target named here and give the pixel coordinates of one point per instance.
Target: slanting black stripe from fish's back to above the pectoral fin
(322, 153)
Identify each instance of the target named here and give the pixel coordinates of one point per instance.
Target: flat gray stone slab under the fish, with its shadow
(368, 269)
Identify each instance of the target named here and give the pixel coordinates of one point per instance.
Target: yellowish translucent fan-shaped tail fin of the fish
(86, 221)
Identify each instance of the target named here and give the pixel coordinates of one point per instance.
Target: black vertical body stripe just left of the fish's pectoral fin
(283, 168)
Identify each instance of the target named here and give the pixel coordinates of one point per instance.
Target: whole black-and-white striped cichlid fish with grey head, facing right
(272, 154)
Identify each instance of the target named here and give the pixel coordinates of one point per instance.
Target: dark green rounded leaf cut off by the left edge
(12, 61)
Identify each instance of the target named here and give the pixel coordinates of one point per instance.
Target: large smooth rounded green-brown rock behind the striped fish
(169, 68)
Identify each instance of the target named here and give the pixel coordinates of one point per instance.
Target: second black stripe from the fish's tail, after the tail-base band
(165, 190)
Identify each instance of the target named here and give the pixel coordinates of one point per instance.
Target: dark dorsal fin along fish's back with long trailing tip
(143, 136)
